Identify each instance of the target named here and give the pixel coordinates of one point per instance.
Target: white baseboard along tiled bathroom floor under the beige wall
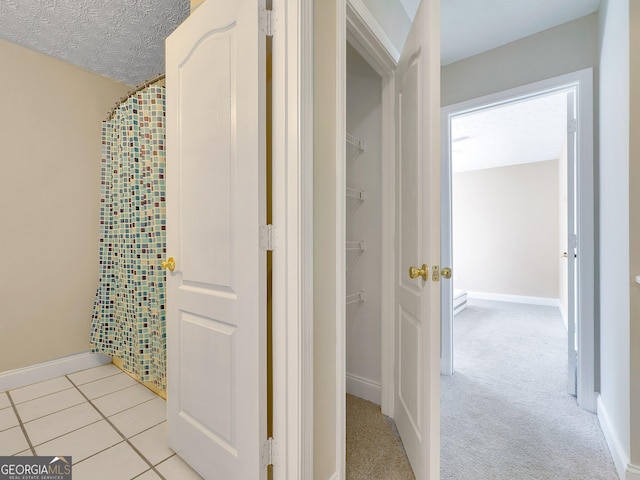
(52, 369)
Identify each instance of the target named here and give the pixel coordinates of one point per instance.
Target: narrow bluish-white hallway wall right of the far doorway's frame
(614, 220)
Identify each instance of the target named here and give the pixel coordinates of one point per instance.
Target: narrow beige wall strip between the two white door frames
(326, 300)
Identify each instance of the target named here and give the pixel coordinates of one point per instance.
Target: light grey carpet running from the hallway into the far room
(505, 412)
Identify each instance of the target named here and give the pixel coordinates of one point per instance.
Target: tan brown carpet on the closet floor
(374, 450)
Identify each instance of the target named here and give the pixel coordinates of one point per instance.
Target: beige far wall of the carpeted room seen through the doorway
(505, 230)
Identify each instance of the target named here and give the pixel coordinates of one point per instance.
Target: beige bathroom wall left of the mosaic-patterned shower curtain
(50, 153)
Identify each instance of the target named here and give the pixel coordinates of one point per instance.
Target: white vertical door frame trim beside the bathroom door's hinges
(292, 197)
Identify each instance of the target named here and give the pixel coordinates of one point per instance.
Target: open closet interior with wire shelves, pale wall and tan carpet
(371, 440)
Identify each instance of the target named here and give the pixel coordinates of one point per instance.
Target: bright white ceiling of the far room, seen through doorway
(522, 132)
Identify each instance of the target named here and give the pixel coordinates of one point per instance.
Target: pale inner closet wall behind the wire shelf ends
(364, 222)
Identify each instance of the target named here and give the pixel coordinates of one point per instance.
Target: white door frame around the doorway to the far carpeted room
(582, 80)
